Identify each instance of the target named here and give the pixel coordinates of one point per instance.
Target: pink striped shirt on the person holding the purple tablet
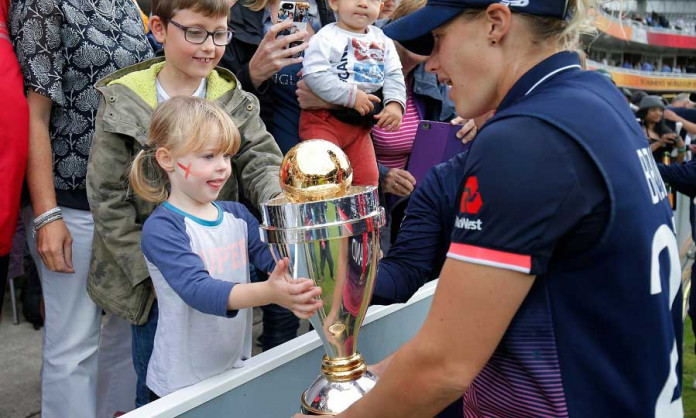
(393, 148)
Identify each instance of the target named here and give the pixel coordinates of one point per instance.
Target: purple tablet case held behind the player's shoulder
(435, 143)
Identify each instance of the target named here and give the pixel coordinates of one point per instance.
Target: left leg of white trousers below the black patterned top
(71, 329)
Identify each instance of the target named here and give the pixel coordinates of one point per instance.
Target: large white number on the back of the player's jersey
(664, 239)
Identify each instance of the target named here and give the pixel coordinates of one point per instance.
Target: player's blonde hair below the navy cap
(565, 34)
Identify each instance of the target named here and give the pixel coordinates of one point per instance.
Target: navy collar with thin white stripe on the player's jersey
(539, 74)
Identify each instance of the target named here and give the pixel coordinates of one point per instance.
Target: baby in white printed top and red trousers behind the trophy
(349, 63)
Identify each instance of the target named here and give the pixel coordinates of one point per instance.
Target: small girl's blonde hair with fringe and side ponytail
(181, 125)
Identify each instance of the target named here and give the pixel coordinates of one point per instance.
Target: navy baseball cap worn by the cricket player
(413, 30)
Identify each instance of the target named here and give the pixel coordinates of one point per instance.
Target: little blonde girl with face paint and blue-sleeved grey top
(196, 248)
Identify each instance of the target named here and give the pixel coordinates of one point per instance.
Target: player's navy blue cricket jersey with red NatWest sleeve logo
(599, 334)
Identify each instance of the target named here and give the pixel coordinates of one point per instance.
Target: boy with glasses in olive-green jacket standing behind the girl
(194, 34)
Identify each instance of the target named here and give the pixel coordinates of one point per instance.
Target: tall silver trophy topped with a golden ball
(330, 232)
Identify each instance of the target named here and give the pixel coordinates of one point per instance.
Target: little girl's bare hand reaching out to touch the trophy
(299, 295)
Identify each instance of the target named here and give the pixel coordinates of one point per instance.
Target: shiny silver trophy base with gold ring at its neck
(342, 382)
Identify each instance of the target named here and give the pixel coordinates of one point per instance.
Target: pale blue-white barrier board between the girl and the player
(270, 384)
